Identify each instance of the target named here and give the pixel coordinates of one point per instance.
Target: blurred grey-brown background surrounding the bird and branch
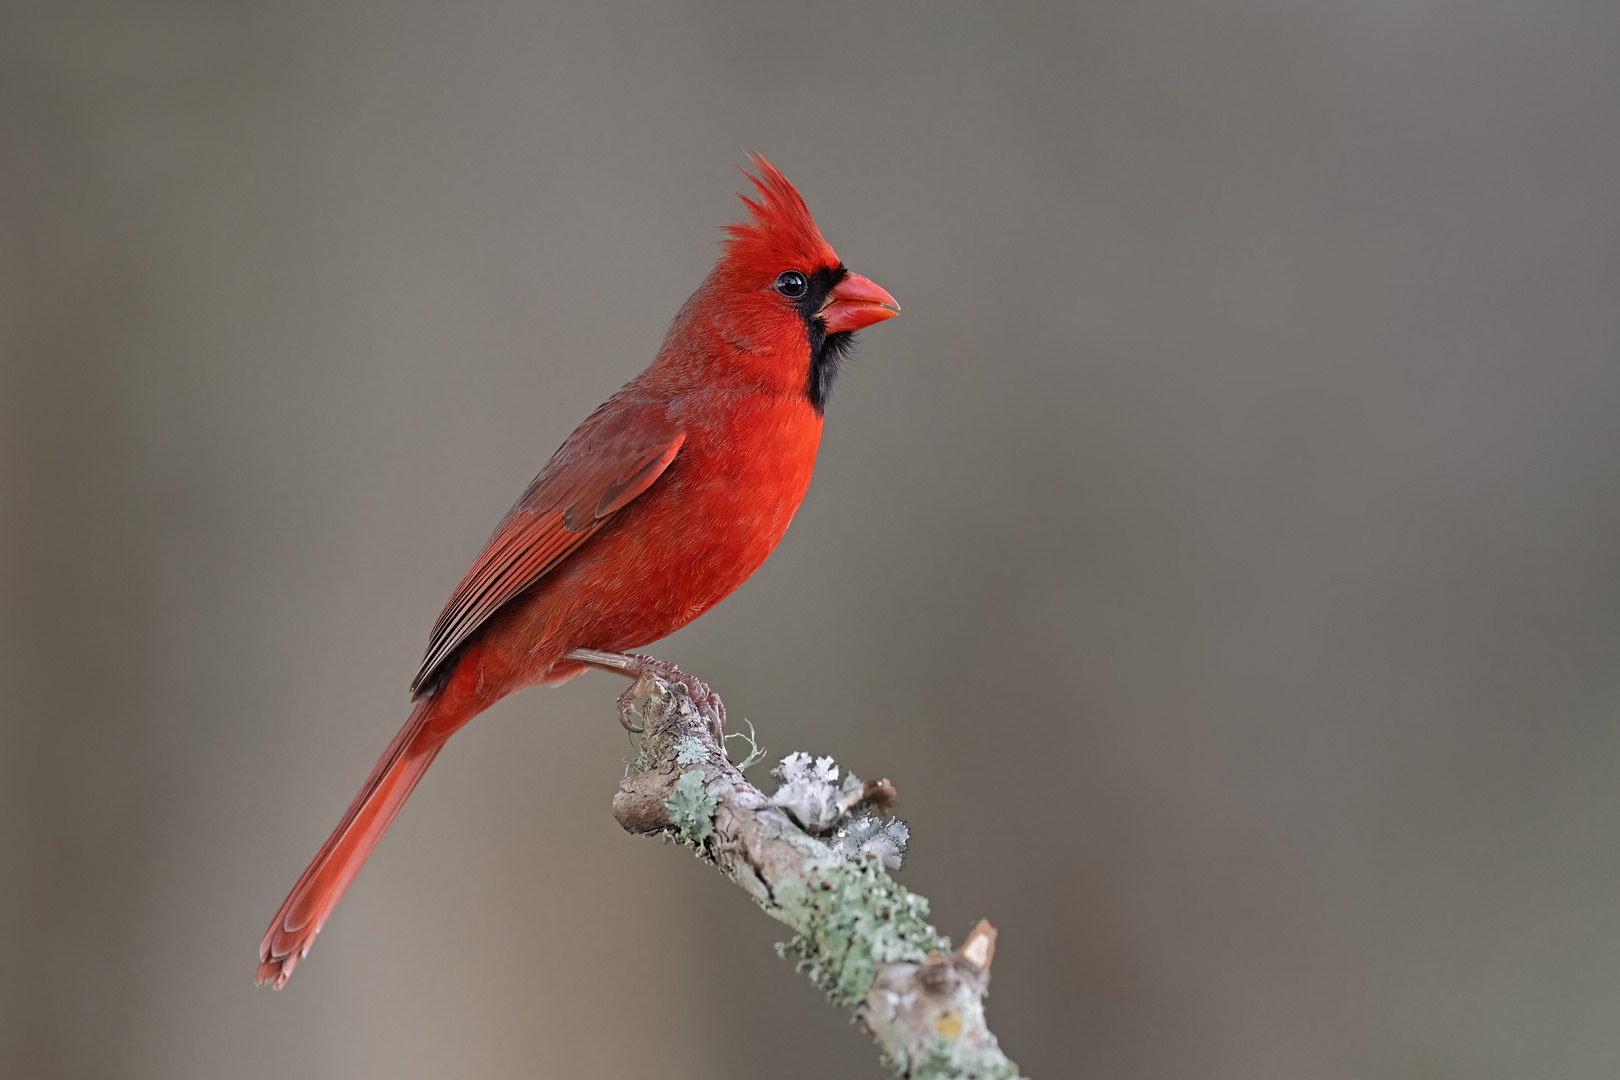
(1222, 553)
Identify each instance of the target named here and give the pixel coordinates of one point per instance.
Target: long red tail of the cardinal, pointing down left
(318, 891)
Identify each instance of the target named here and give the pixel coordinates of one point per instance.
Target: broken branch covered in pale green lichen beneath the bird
(814, 856)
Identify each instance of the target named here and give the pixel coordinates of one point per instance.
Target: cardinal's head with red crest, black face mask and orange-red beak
(787, 291)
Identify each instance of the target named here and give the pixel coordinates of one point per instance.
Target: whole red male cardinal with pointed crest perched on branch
(654, 511)
